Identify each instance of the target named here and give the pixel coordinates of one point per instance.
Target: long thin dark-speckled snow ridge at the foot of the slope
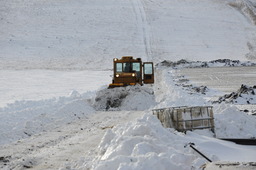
(195, 64)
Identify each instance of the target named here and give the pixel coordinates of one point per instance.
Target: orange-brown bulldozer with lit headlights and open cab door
(130, 71)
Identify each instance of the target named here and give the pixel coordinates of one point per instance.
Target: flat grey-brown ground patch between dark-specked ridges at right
(225, 79)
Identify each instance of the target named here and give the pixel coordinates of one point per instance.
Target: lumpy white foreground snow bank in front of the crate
(145, 144)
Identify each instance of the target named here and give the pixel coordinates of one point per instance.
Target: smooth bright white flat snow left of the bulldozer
(18, 85)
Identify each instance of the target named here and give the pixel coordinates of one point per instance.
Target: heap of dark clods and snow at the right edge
(244, 95)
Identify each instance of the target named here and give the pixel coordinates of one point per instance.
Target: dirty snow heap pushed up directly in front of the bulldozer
(125, 98)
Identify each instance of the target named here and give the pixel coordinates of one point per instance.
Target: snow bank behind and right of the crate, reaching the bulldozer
(230, 122)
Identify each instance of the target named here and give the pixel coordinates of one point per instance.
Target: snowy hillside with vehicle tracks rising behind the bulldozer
(87, 35)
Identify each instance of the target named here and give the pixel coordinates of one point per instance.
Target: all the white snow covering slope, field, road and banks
(56, 60)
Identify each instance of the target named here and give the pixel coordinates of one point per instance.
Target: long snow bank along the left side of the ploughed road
(26, 118)
